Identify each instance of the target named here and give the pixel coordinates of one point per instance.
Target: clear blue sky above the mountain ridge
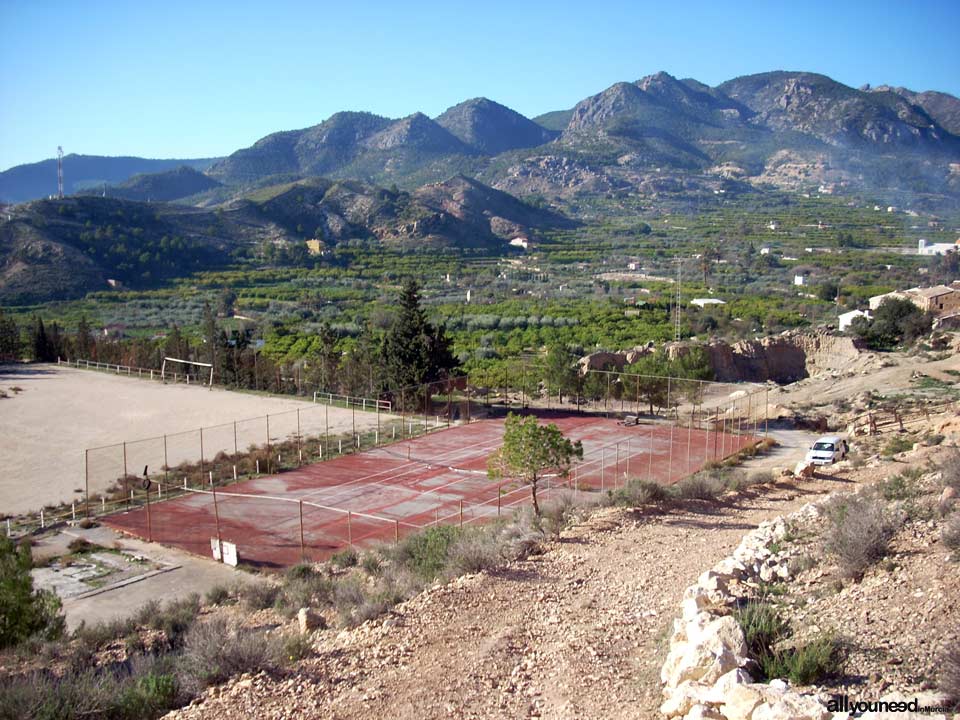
(204, 78)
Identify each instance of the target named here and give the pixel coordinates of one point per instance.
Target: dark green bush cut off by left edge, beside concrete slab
(24, 611)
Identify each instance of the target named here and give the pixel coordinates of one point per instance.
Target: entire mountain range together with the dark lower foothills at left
(478, 174)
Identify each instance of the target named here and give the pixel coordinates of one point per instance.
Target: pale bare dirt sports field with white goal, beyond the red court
(58, 412)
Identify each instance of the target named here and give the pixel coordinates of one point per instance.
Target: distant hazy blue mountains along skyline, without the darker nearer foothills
(772, 128)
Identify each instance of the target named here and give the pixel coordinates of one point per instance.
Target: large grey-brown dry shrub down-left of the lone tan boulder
(213, 652)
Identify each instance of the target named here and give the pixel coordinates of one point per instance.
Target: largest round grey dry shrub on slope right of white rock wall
(858, 533)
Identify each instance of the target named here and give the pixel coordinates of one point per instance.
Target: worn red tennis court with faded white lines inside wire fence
(383, 494)
